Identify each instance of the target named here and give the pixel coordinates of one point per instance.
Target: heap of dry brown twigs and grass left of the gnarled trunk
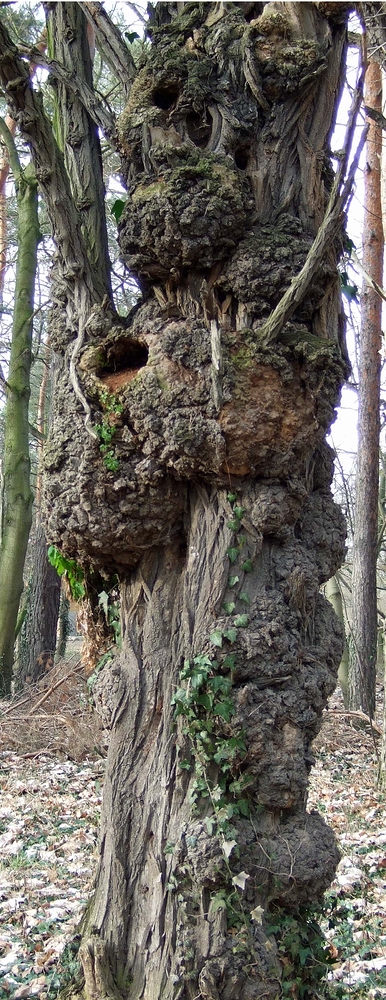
(53, 715)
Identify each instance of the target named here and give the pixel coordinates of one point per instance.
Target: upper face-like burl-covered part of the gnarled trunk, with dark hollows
(225, 191)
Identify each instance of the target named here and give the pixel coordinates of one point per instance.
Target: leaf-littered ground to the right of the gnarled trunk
(343, 789)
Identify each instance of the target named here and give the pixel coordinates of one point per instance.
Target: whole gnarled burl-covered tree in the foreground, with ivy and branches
(187, 455)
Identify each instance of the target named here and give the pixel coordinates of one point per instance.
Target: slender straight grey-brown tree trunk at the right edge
(363, 653)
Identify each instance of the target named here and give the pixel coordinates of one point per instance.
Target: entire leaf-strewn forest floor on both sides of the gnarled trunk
(51, 775)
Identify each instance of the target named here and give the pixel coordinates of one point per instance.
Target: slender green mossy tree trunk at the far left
(17, 500)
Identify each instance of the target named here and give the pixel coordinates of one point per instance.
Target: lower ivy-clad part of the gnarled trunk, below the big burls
(158, 926)
